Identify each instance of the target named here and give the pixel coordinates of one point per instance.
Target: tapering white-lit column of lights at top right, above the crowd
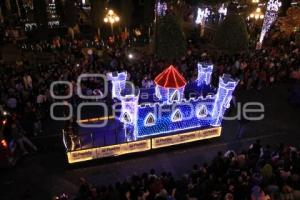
(270, 16)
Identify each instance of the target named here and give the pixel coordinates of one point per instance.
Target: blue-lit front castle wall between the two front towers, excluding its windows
(164, 114)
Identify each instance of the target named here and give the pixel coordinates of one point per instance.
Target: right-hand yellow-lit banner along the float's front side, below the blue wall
(185, 137)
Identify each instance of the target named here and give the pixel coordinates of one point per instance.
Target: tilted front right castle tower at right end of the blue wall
(223, 98)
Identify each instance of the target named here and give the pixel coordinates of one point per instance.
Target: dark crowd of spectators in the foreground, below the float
(257, 173)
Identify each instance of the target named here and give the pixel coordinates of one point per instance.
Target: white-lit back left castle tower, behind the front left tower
(118, 81)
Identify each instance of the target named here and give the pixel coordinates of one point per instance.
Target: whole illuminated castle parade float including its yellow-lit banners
(172, 112)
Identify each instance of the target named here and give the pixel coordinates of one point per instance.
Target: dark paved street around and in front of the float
(46, 173)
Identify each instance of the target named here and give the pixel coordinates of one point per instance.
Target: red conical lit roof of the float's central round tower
(170, 78)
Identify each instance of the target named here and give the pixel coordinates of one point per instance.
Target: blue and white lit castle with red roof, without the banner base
(172, 112)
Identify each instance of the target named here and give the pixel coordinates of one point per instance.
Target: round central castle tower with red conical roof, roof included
(169, 85)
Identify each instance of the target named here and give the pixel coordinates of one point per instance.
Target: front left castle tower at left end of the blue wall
(129, 97)
